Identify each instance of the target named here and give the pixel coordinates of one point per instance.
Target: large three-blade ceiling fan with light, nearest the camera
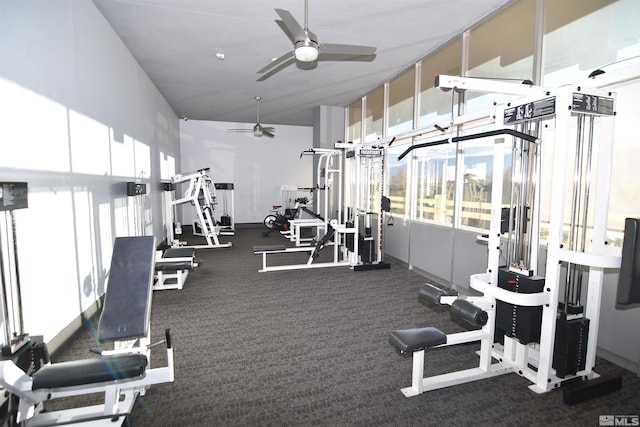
(307, 49)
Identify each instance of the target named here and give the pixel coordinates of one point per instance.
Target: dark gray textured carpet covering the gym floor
(310, 347)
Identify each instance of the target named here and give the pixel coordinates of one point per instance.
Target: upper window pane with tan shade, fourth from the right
(400, 111)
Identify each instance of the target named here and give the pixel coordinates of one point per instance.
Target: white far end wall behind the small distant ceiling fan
(257, 167)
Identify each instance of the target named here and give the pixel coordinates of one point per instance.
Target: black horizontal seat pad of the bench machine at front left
(90, 371)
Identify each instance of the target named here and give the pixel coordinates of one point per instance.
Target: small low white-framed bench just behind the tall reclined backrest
(173, 267)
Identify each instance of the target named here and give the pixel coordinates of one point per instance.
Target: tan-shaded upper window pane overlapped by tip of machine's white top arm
(435, 106)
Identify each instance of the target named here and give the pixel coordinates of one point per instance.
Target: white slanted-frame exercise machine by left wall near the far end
(201, 195)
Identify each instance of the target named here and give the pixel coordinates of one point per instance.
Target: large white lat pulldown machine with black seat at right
(541, 326)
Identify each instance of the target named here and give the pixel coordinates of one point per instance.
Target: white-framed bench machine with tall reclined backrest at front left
(121, 373)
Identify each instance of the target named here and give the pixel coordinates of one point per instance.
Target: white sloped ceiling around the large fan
(176, 42)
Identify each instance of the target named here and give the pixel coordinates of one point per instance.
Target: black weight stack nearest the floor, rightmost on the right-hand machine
(570, 348)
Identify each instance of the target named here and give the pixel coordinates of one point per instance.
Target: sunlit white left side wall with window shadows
(78, 119)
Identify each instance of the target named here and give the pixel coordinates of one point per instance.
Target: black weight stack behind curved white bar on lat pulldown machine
(516, 321)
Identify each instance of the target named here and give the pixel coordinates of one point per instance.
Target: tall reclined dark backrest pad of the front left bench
(127, 301)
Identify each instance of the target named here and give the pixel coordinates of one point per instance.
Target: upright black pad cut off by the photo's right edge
(629, 278)
